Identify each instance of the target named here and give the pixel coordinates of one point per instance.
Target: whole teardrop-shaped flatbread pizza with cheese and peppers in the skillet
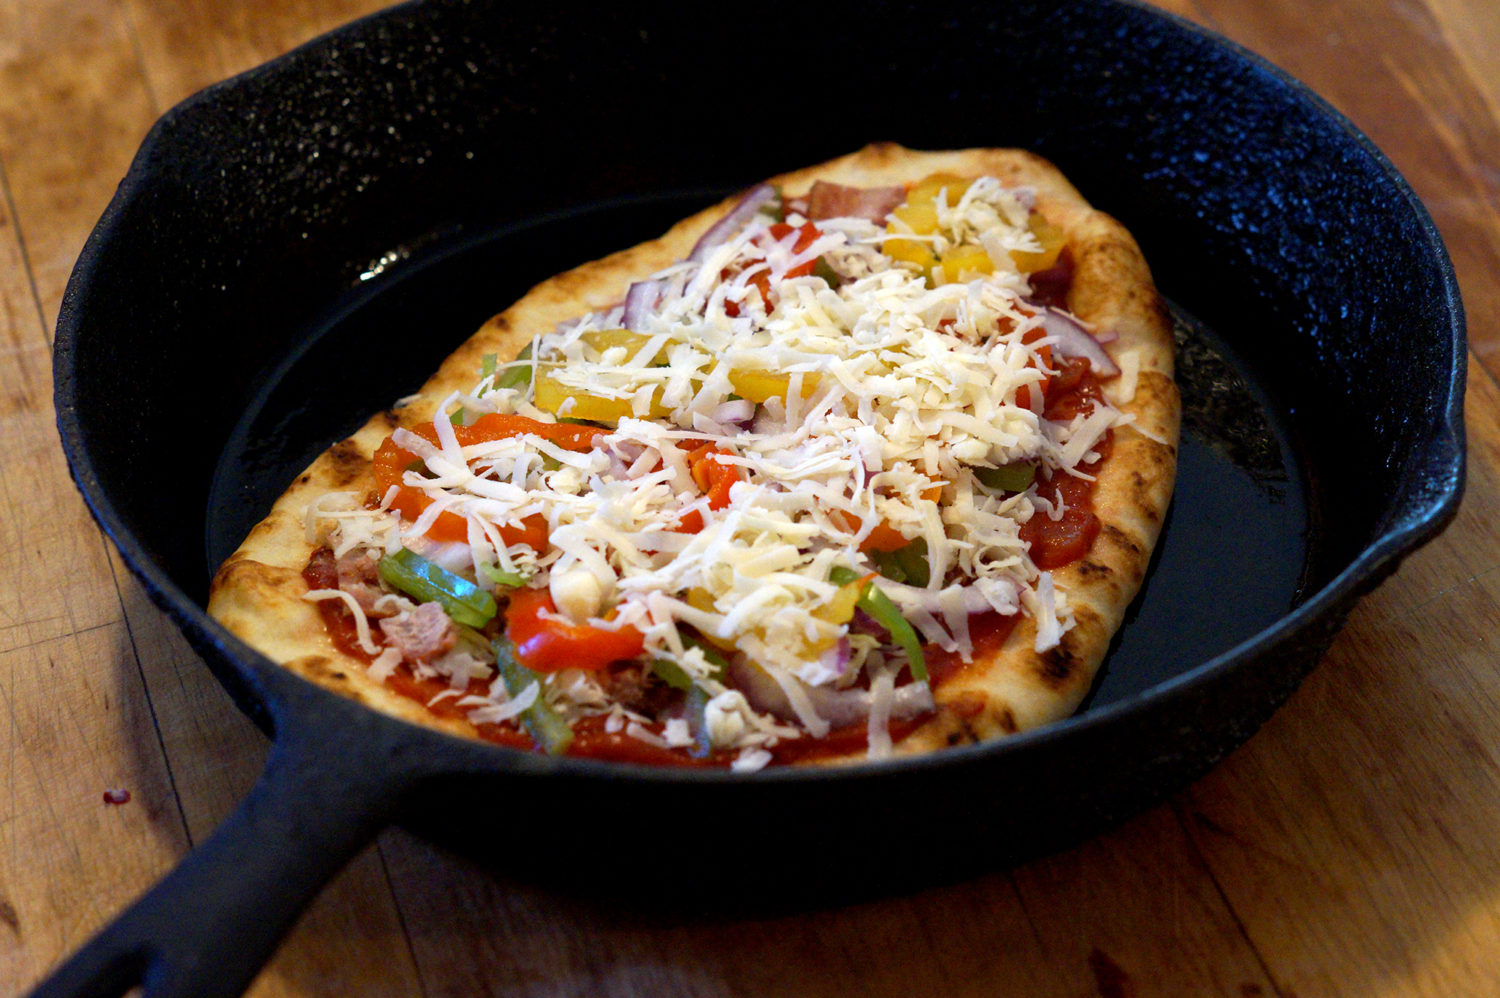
(862, 464)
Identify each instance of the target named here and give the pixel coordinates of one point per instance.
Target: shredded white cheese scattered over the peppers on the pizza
(850, 407)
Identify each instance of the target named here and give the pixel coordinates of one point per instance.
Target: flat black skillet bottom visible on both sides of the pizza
(1234, 555)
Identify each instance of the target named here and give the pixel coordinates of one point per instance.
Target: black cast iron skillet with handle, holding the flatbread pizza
(398, 181)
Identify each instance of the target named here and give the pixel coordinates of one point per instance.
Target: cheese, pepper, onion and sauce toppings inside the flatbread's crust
(829, 391)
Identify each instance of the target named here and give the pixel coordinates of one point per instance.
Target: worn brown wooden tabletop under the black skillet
(1352, 847)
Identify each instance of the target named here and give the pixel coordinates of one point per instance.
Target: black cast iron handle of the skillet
(212, 924)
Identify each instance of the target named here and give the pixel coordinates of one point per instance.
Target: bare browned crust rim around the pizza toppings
(259, 594)
